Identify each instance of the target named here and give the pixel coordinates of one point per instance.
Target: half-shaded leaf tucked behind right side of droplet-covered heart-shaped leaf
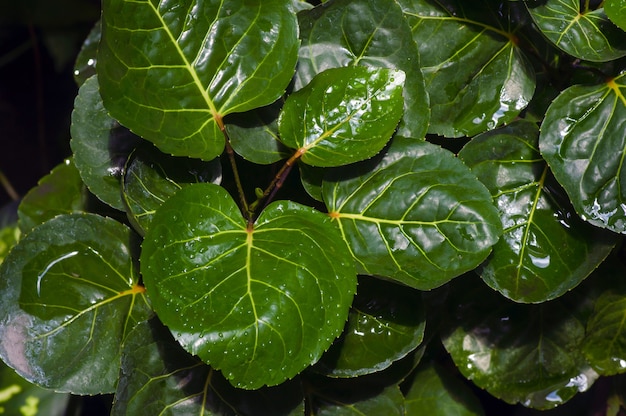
(386, 322)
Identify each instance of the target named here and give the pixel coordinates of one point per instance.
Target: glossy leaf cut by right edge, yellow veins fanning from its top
(582, 139)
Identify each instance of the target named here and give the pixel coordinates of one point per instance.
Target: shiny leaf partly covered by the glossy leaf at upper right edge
(546, 250)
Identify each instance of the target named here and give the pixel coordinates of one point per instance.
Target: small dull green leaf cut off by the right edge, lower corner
(605, 341)
